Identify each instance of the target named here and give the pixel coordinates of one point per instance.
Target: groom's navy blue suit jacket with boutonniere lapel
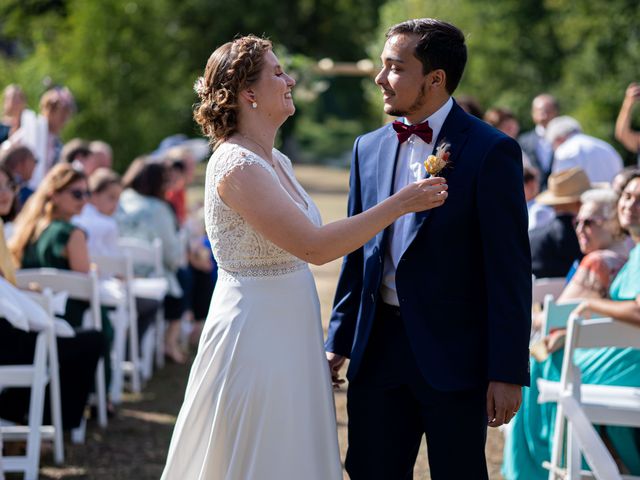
(464, 281)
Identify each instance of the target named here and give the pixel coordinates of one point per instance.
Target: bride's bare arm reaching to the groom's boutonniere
(262, 202)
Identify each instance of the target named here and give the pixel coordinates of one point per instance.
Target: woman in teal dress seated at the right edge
(530, 440)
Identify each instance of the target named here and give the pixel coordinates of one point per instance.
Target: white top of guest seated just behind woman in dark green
(101, 230)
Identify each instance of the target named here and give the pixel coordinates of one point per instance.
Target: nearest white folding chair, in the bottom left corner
(42, 372)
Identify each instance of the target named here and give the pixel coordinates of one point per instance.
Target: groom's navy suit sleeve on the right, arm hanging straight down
(502, 213)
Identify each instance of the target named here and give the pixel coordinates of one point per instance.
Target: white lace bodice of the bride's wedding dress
(240, 250)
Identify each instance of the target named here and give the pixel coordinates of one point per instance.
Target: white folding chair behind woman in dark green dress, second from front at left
(79, 286)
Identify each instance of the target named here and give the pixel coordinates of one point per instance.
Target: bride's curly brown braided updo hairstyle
(230, 69)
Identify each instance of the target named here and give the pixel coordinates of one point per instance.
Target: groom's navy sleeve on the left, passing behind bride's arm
(346, 303)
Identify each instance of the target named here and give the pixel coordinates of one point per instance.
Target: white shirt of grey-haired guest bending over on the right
(597, 158)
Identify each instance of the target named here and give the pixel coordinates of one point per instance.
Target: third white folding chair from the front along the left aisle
(120, 269)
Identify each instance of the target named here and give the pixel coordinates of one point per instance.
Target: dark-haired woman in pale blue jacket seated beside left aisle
(143, 213)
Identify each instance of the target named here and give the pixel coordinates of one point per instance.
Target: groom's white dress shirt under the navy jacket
(409, 168)
